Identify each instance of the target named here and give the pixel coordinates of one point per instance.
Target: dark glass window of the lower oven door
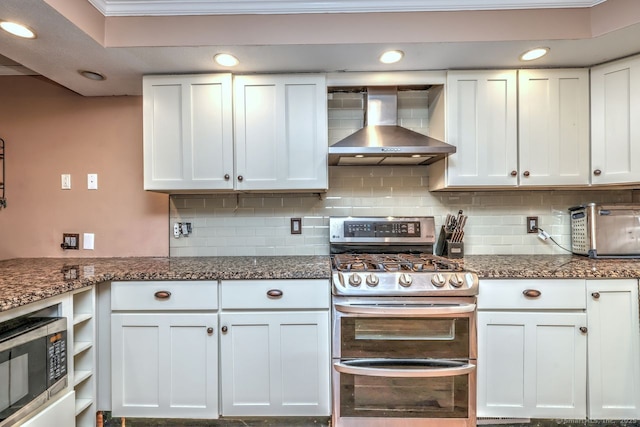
(405, 397)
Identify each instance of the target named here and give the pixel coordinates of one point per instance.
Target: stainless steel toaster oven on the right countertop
(606, 231)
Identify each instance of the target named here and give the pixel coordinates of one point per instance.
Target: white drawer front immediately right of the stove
(511, 294)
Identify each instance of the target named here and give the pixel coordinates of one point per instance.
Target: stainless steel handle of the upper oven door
(405, 310)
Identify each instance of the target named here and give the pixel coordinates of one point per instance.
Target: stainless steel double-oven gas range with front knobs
(404, 327)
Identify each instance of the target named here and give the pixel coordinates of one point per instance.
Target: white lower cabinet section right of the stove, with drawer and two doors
(559, 349)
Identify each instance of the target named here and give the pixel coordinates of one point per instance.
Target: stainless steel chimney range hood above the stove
(382, 142)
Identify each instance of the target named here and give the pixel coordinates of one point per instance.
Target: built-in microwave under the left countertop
(33, 364)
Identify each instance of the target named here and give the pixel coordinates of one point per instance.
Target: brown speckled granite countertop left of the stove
(25, 280)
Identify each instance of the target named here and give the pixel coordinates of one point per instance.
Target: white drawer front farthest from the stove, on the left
(182, 295)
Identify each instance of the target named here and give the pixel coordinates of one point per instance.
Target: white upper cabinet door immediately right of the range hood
(482, 124)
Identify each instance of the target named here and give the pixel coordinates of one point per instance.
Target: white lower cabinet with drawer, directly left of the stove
(275, 348)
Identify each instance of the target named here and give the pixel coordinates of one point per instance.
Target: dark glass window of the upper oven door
(444, 338)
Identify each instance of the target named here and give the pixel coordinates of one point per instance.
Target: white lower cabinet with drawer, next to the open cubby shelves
(164, 349)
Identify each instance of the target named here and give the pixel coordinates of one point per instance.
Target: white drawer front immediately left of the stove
(275, 294)
